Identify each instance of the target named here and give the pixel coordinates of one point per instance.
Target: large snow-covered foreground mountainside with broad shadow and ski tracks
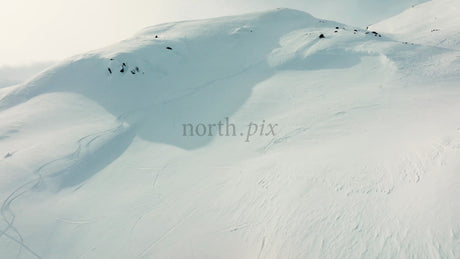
(364, 163)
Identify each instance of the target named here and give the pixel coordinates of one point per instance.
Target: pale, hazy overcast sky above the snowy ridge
(32, 30)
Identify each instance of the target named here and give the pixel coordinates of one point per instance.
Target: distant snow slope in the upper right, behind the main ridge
(435, 23)
